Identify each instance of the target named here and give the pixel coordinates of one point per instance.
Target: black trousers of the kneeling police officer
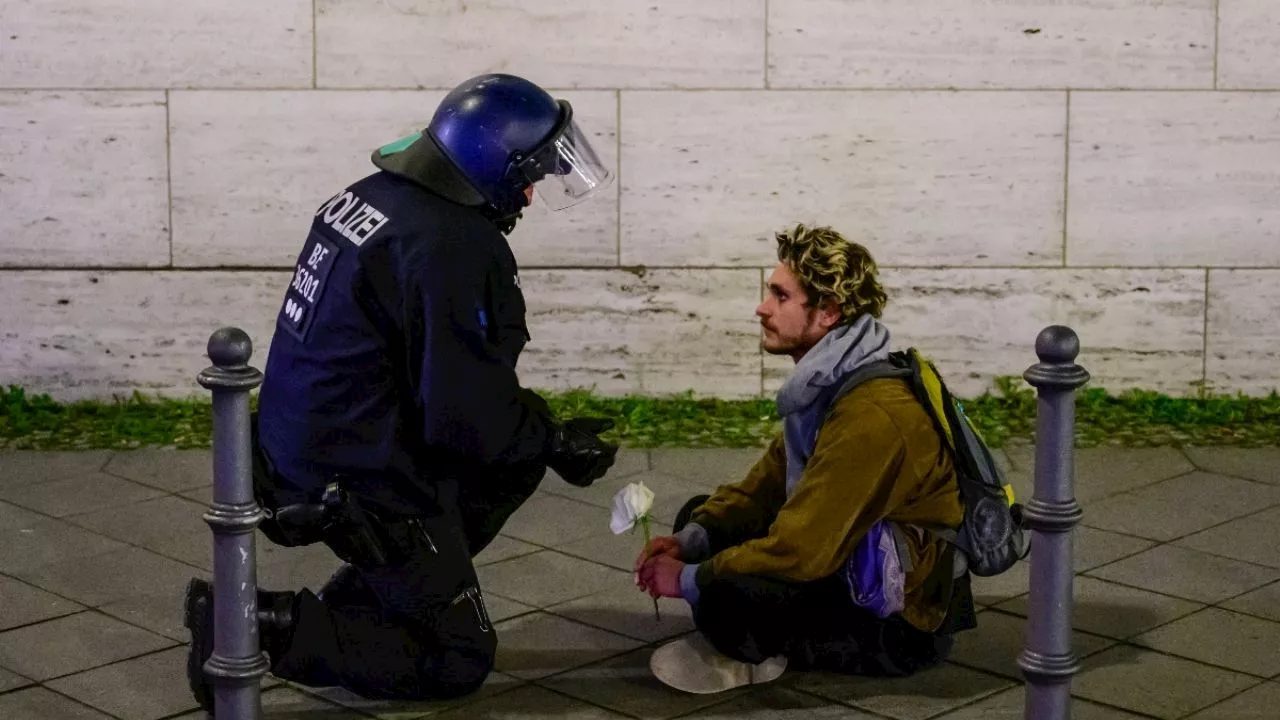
(415, 628)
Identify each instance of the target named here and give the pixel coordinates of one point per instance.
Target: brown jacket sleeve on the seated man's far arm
(744, 509)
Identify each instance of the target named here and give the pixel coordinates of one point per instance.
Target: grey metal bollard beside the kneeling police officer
(237, 664)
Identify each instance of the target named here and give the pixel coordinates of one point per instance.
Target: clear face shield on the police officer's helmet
(566, 170)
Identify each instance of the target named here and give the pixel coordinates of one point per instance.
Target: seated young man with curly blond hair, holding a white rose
(765, 563)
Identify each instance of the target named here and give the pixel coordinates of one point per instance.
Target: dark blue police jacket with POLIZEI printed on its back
(394, 362)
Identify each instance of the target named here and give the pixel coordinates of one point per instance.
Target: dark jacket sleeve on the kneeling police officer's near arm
(470, 400)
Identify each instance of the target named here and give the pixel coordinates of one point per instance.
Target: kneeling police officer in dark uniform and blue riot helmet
(391, 425)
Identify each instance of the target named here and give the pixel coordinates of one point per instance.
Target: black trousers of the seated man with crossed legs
(816, 626)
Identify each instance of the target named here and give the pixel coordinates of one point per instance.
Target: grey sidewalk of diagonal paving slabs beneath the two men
(1177, 603)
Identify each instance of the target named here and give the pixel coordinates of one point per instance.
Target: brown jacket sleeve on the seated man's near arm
(849, 485)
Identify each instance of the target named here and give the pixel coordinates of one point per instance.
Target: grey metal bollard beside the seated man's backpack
(1048, 662)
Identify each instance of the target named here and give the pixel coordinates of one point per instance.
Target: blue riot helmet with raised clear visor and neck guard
(492, 138)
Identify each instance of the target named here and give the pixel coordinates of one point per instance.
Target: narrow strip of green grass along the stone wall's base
(1135, 418)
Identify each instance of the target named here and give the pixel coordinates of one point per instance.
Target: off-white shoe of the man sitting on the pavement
(693, 666)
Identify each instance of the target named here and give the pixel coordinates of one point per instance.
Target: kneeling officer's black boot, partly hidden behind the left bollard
(276, 621)
